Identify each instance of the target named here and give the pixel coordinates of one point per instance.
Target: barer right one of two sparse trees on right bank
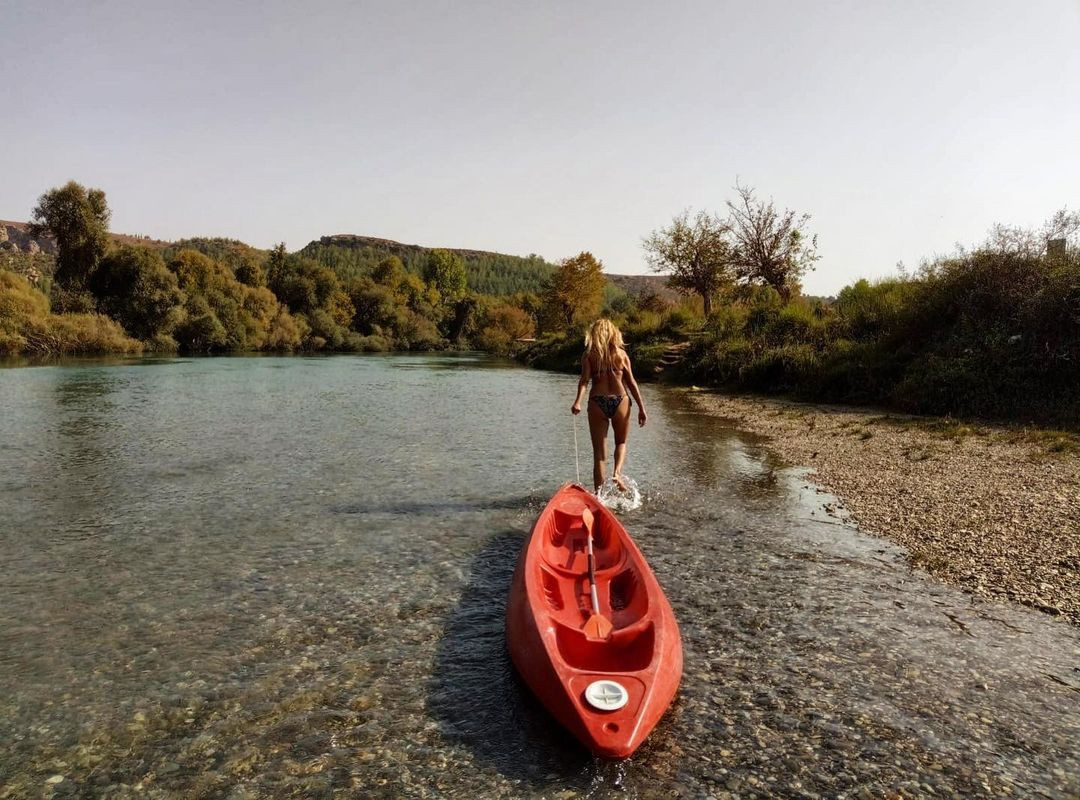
(771, 247)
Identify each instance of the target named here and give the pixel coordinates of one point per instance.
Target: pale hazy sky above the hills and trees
(550, 128)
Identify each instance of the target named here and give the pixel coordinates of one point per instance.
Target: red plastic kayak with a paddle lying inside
(609, 671)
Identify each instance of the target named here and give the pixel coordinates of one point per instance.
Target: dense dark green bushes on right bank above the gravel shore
(989, 333)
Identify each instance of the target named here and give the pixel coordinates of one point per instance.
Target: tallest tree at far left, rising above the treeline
(78, 219)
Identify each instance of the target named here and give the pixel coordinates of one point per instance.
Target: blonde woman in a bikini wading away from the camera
(606, 364)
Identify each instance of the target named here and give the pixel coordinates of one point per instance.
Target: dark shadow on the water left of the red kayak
(477, 696)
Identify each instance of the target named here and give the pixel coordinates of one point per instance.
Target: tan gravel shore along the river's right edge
(994, 510)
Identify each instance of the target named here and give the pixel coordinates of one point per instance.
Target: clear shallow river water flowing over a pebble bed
(286, 578)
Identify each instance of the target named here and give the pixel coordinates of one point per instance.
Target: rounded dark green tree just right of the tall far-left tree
(134, 288)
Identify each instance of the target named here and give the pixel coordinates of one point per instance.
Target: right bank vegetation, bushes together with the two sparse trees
(990, 332)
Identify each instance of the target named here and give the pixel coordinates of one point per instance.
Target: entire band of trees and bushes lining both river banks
(993, 331)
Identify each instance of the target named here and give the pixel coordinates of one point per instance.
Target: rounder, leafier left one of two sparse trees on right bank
(698, 254)
